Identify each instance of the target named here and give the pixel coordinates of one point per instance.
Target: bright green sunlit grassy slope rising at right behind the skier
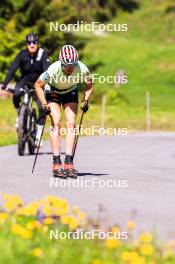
(146, 53)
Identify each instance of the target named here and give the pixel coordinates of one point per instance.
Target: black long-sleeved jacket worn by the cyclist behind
(31, 66)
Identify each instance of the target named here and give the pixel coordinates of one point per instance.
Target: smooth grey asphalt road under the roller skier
(143, 164)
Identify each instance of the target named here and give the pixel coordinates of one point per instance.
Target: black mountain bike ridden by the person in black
(27, 117)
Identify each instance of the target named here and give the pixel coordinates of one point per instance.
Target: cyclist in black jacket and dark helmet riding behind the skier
(32, 61)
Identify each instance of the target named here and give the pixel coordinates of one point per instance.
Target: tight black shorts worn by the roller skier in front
(62, 99)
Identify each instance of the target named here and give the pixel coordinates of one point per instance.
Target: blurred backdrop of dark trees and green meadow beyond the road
(146, 53)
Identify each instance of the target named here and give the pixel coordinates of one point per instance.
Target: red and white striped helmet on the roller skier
(68, 55)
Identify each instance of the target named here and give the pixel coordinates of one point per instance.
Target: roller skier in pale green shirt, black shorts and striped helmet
(61, 78)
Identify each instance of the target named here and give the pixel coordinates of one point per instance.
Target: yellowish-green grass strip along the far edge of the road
(117, 116)
